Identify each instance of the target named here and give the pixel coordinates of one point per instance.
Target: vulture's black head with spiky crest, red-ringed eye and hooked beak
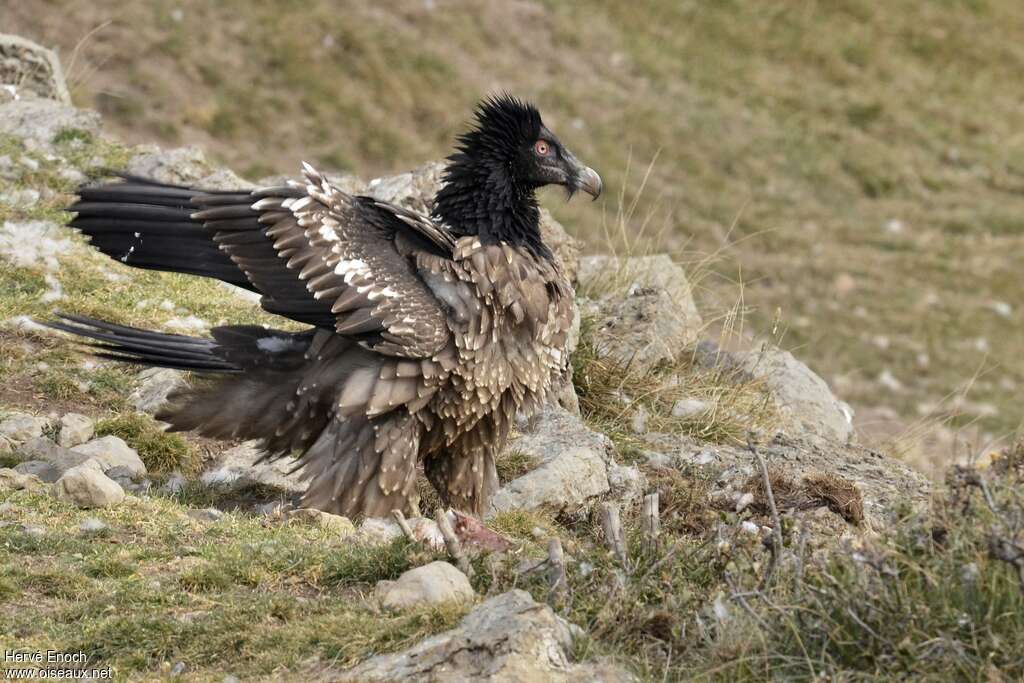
(511, 140)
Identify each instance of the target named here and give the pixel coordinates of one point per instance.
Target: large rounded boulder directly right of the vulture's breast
(645, 306)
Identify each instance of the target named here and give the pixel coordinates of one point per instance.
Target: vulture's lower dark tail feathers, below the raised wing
(268, 389)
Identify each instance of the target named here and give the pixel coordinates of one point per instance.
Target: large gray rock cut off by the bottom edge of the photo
(507, 638)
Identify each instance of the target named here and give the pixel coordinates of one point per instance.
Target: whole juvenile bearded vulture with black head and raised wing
(428, 333)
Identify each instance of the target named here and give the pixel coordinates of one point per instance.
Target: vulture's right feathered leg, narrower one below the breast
(464, 480)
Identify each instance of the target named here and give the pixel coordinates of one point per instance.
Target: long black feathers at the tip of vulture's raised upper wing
(148, 225)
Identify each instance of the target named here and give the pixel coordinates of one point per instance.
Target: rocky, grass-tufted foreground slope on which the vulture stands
(782, 544)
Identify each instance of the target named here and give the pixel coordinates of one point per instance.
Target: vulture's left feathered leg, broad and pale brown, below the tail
(363, 466)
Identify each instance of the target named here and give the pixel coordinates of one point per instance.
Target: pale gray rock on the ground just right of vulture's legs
(573, 464)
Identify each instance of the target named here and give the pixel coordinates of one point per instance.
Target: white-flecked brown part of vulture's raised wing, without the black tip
(325, 258)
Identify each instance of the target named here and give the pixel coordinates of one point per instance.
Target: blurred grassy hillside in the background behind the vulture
(788, 139)
